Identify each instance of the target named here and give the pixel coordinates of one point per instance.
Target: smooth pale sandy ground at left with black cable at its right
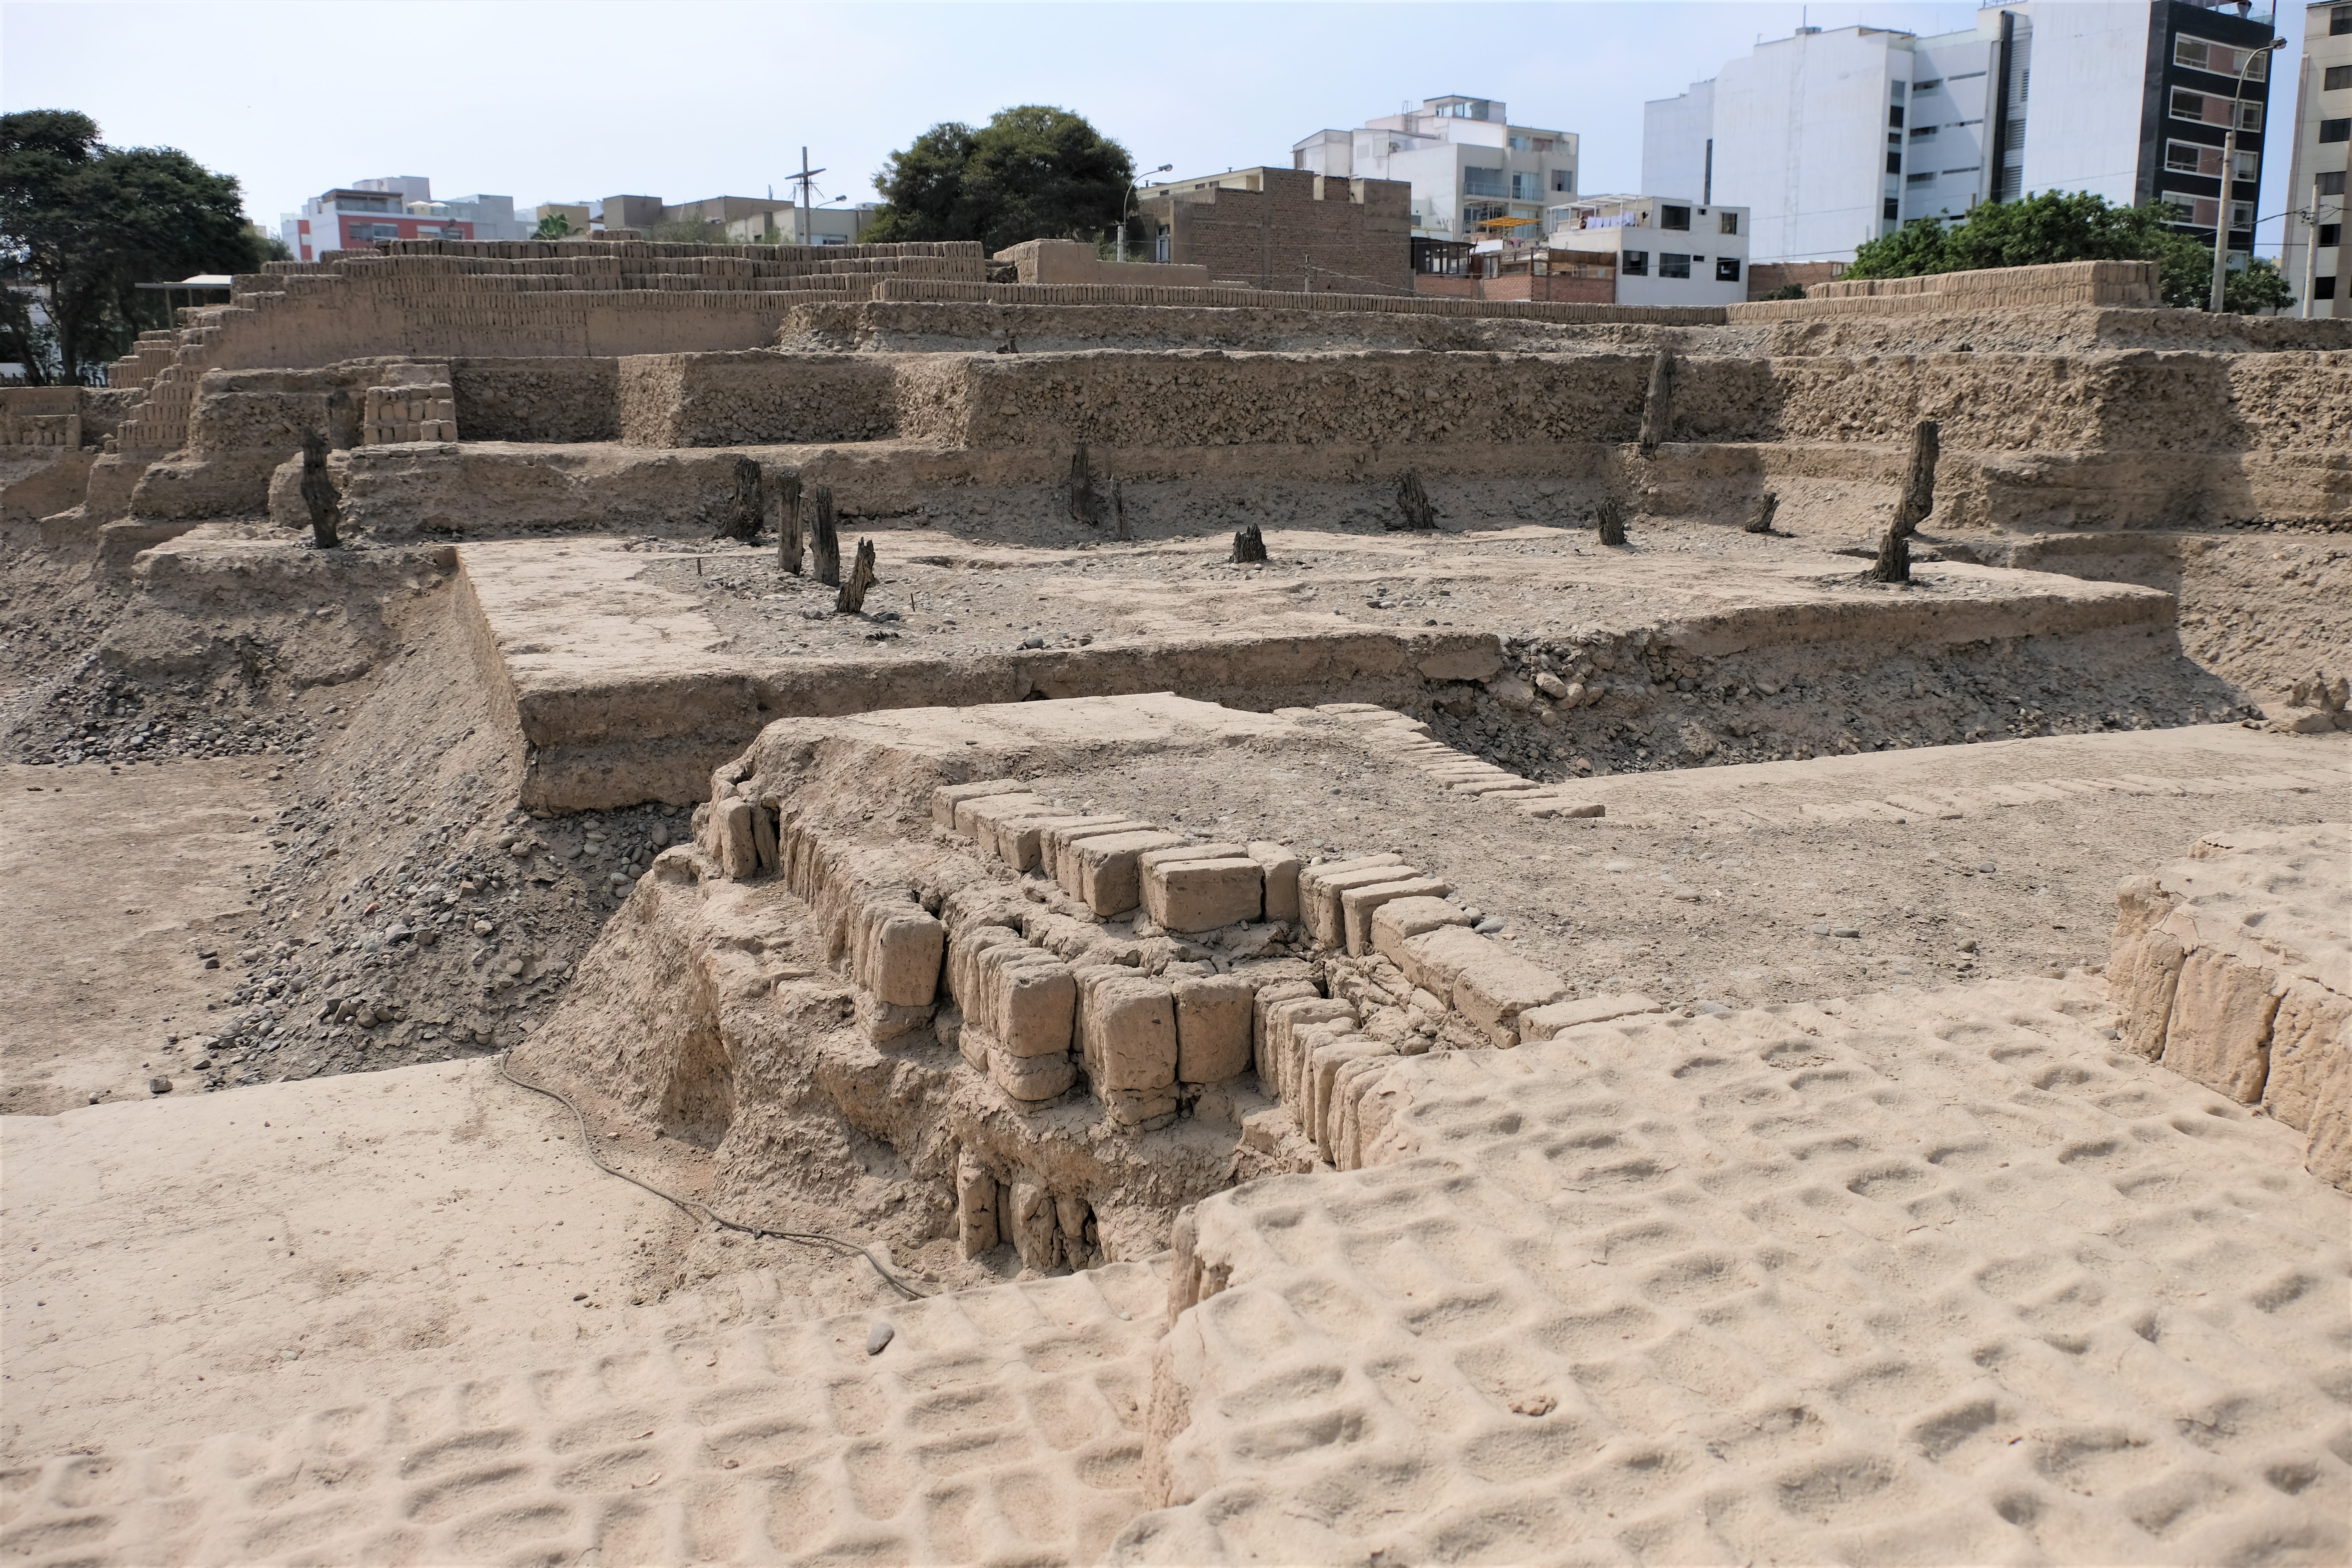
(227, 1264)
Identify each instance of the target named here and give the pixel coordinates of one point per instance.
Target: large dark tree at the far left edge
(91, 222)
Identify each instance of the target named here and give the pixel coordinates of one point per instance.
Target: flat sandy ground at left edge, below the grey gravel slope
(116, 887)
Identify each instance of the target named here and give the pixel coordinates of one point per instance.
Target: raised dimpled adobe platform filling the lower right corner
(1923, 1280)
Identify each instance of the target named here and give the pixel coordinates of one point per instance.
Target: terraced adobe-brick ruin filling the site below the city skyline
(782, 904)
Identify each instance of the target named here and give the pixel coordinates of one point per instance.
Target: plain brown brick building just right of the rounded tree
(1283, 229)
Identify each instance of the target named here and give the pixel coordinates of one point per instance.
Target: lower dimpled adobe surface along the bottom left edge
(998, 1426)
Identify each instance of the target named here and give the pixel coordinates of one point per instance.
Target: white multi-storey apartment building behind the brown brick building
(1466, 163)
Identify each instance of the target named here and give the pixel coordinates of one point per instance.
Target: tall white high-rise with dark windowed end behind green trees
(1838, 138)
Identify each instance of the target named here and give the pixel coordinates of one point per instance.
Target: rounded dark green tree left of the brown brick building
(1034, 173)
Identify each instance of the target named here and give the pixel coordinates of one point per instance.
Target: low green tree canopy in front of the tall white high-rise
(2071, 227)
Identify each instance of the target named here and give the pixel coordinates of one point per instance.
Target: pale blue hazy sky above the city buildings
(556, 102)
